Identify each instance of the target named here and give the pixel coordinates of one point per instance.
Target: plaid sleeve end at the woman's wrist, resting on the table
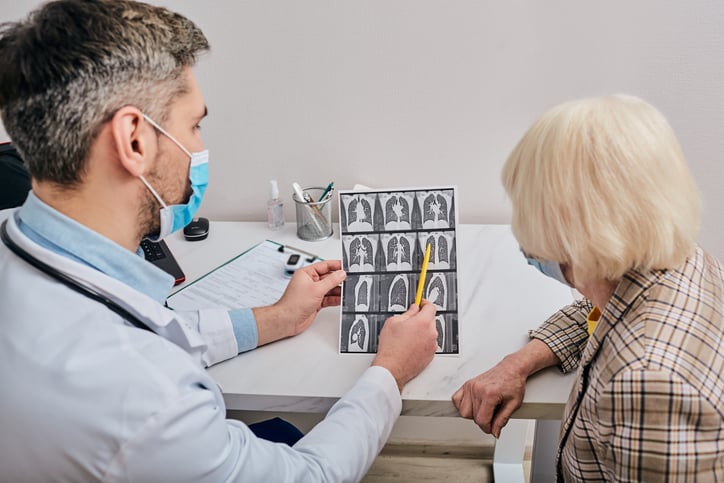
(566, 333)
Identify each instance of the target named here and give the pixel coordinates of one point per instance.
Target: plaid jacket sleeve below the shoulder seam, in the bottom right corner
(657, 427)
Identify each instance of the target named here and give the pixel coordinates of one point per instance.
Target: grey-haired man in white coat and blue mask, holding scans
(99, 380)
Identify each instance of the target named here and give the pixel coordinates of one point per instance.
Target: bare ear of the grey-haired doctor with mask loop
(134, 140)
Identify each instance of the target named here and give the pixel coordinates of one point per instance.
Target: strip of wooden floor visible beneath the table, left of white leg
(422, 463)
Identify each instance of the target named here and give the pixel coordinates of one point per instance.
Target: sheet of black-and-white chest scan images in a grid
(384, 234)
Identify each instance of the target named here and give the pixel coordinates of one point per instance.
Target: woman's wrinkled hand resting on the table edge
(492, 397)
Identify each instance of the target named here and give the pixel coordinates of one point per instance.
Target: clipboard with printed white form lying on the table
(254, 278)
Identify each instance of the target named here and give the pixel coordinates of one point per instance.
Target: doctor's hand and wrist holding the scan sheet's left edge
(311, 288)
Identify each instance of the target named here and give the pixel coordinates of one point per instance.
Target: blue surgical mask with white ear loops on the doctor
(175, 217)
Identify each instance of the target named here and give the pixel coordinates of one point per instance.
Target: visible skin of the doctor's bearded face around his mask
(170, 174)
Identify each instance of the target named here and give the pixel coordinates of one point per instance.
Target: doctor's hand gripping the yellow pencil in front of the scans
(407, 343)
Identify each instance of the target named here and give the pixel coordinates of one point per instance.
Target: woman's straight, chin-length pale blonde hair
(601, 184)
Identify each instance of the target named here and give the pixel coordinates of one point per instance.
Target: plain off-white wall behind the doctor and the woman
(430, 92)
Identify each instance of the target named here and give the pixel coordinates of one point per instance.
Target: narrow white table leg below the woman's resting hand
(510, 451)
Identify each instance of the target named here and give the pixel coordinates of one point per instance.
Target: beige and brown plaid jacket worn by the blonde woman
(648, 404)
